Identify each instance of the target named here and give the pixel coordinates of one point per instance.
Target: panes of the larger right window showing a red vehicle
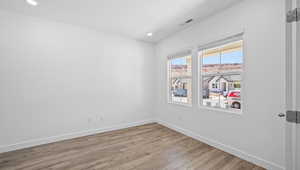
(221, 68)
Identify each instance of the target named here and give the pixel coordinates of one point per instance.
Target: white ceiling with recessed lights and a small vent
(132, 18)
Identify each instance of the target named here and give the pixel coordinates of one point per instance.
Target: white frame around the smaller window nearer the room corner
(174, 56)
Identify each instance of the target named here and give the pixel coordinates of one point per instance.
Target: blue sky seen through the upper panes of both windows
(227, 58)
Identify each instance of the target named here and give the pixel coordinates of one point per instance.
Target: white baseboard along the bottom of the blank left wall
(36, 142)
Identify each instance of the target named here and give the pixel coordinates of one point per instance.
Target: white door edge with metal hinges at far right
(293, 86)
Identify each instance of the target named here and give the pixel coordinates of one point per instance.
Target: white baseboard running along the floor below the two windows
(236, 152)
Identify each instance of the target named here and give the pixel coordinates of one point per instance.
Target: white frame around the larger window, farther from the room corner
(225, 41)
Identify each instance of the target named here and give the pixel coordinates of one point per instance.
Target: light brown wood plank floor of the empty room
(147, 147)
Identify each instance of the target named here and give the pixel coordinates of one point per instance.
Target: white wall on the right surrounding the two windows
(258, 134)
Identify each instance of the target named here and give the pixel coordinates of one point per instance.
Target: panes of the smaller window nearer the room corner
(180, 79)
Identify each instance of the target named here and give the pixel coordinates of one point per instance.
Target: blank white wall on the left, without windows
(59, 79)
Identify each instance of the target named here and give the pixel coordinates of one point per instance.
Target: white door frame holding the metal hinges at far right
(291, 86)
